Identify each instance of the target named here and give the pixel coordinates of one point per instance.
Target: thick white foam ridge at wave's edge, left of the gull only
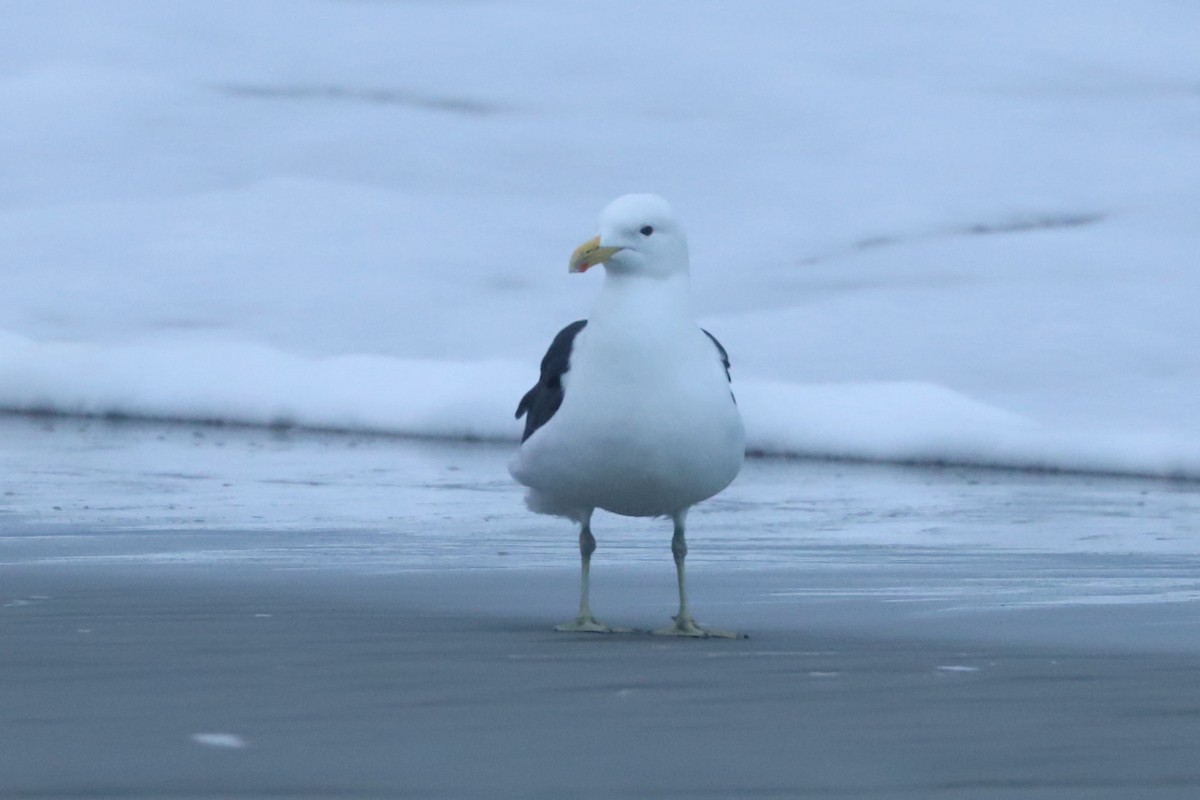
(256, 386)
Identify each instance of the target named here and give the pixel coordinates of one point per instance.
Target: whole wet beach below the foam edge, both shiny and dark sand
(236, 612)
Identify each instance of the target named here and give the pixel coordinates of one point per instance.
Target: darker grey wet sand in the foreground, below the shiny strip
(134, 683)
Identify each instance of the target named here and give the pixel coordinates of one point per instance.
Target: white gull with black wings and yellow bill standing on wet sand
(634, 412)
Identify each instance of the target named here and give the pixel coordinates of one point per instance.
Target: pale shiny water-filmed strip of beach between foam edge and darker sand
(93, 491)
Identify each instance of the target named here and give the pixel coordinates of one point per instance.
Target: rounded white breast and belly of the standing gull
(640, 436)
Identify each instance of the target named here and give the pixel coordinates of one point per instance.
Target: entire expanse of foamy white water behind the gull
(925, 232)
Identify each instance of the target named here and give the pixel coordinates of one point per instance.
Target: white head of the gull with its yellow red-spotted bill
(639, 236)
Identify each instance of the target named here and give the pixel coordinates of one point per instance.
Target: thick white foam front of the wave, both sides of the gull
(256, 386)
